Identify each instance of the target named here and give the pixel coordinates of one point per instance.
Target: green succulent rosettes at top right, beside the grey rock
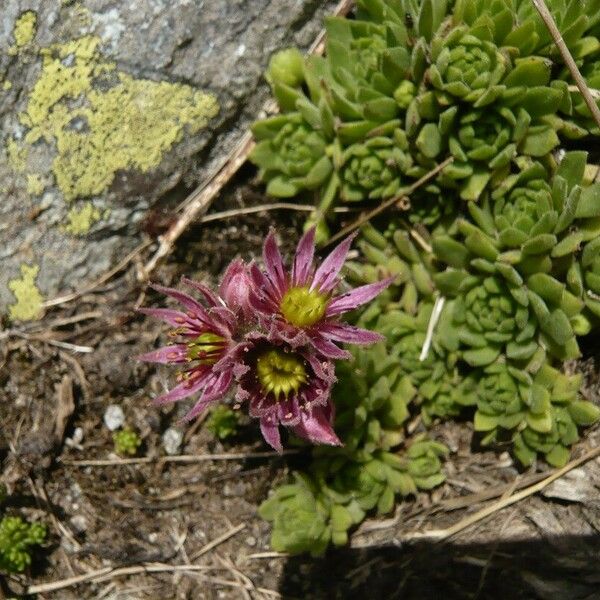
(406, 85)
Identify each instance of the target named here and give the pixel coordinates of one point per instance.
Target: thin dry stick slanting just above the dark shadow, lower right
(443, 534)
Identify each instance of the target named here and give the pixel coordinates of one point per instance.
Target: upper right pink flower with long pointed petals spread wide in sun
(301, 307)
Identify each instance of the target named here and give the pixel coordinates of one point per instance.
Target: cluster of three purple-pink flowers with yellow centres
(268, 337)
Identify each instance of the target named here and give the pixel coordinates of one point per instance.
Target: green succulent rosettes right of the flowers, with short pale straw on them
(487, 306)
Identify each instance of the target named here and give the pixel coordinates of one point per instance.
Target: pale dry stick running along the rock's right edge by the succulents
(201, 198)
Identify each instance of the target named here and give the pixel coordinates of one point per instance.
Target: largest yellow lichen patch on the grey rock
(101, 120)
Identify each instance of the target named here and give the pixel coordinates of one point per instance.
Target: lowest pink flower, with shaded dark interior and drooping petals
(285, 386)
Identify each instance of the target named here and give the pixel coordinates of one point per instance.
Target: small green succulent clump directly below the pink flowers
(366, 473)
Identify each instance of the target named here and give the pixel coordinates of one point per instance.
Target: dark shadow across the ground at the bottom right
(553, 568)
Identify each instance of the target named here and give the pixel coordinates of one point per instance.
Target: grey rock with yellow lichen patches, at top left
(108, 108)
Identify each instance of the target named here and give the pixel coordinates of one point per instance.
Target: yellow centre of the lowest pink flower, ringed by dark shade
(280, 373)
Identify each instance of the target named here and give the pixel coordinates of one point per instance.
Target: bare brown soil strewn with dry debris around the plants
(546, 546)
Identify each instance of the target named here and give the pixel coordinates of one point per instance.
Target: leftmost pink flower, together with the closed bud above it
(204, 336)
